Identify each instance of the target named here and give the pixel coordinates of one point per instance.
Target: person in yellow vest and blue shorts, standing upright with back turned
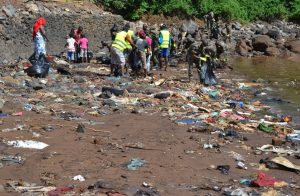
(164, 44)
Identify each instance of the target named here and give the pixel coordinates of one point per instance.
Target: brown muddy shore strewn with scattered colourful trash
(226, 120)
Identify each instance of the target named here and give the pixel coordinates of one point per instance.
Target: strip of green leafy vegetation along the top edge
(244, 10)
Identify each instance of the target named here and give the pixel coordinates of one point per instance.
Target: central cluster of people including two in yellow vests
(136, 50)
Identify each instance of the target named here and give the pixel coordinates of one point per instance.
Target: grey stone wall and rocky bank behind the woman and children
(16, 27)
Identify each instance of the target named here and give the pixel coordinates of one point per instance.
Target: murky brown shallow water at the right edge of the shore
(281, 75)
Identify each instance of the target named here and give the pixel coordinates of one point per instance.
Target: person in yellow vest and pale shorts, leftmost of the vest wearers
(117, 50)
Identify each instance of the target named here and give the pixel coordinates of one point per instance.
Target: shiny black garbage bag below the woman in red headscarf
(40, 67)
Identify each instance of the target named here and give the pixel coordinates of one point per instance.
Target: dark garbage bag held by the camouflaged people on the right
(207, 75)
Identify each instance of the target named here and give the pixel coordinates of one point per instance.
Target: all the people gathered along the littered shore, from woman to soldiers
(144, 49)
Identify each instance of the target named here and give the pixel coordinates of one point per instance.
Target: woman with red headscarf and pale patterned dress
(39, 37)
